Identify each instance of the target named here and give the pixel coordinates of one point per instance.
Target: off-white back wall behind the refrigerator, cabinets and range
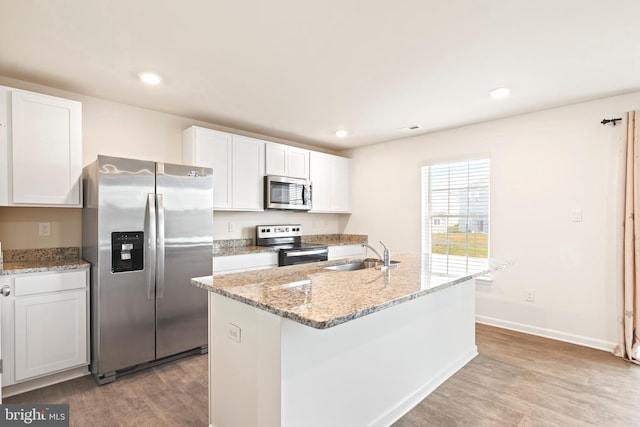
(121, 130)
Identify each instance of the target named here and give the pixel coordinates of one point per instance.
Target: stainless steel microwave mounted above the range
(283, 192)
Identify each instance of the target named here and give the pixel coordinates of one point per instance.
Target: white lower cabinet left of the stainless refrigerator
(44, 325)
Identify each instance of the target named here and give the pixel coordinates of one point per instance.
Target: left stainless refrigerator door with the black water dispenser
(123, 311)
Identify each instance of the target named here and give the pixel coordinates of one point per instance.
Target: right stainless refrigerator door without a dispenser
(185, 236)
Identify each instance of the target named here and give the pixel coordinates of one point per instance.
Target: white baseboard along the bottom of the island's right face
(412, 400)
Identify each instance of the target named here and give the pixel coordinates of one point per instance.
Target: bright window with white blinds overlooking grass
(455, 206)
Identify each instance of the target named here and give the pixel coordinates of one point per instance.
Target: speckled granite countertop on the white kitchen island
(314, 296)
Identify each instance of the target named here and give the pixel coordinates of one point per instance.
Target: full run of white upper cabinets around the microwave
(240, 163)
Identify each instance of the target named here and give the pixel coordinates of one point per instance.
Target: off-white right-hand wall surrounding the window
(543, 165)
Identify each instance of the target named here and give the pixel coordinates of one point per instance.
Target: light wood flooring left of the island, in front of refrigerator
(174, 394)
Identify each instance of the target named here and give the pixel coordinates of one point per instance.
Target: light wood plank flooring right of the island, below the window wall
(522, 380)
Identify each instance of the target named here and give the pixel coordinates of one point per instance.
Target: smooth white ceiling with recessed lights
(300, 70)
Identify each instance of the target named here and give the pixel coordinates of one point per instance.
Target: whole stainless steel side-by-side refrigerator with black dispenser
(147, 229)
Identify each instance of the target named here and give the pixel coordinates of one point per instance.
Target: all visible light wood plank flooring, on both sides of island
(517, 380)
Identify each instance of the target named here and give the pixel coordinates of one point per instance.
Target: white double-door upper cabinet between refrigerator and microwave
(237, 163)
